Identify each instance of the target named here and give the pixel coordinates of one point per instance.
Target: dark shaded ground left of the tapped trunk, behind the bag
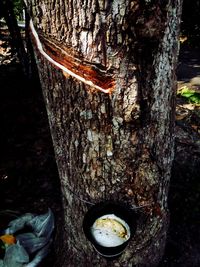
(28, 173)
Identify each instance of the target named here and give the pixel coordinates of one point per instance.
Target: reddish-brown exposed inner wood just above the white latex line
(93, 74)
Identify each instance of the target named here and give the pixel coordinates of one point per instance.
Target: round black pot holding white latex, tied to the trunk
(109, 227)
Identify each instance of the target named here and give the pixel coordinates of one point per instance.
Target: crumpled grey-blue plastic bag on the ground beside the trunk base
(33, 245)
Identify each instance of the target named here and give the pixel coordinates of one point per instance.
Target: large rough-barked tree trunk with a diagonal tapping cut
(110, 101)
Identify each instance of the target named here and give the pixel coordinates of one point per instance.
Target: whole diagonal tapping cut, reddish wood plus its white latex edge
(72, 66)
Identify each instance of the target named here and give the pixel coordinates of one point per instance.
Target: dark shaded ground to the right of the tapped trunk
(183, 244)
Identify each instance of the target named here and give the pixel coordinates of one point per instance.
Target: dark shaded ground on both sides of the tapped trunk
(28, 175)
